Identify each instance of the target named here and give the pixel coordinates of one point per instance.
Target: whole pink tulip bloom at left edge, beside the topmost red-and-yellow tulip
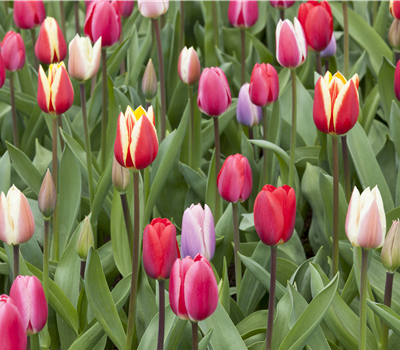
(13, 51)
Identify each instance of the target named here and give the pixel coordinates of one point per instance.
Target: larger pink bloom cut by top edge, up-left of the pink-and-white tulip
(243, 13)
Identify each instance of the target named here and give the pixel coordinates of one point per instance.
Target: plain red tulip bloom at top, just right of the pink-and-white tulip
(317, 21)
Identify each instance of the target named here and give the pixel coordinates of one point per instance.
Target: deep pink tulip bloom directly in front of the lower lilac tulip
(193, 289)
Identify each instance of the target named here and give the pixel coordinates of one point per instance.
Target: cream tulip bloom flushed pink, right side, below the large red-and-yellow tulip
(366, 221)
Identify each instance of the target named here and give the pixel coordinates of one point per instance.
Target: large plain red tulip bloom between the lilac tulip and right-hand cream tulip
(275, 214)
